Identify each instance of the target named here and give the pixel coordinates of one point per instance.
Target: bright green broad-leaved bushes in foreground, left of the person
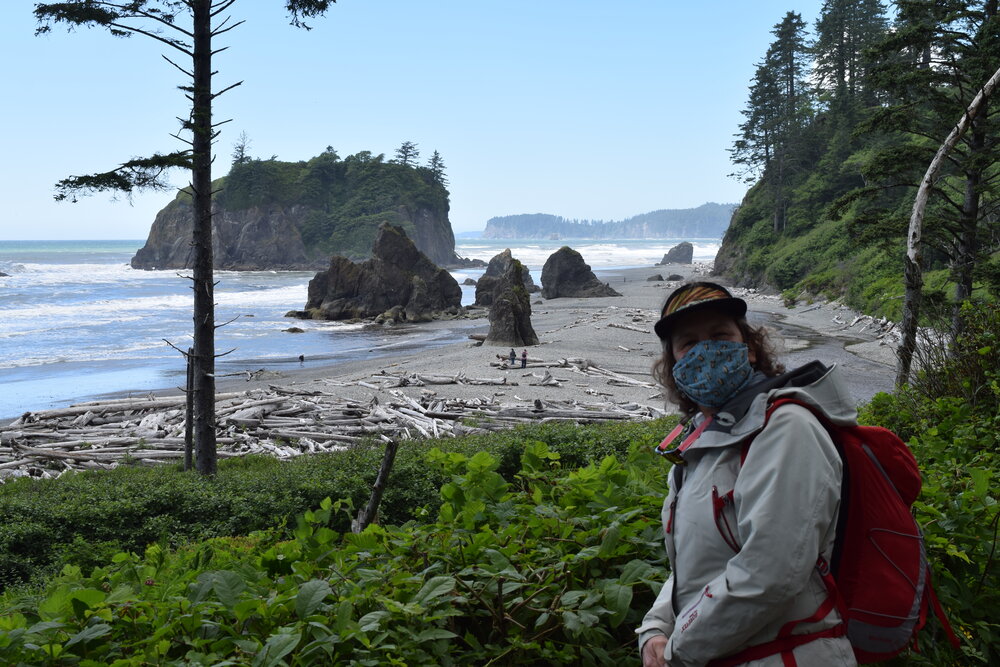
(552, 567)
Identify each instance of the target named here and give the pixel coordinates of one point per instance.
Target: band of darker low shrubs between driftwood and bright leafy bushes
(80, 518)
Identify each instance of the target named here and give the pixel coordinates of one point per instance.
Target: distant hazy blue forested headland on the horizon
(706, 221)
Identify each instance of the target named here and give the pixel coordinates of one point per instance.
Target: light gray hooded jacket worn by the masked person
(737, 579)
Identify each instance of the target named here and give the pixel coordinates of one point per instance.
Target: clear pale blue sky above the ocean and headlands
(579, 108)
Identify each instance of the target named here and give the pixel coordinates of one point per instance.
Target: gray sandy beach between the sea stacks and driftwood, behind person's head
(614, 334)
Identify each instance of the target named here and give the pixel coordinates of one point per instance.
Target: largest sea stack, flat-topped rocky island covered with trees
(270, 214)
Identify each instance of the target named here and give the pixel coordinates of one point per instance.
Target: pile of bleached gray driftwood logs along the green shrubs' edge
(279, 421)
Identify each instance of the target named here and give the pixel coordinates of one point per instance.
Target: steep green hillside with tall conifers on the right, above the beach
(840, 125)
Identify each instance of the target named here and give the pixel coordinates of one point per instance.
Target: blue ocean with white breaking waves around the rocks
(77, 322)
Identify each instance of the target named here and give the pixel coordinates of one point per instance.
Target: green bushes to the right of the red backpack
(950, 416)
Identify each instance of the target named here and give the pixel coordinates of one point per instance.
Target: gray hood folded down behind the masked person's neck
(814, 384)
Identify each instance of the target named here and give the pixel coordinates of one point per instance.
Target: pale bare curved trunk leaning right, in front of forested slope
(913, 264)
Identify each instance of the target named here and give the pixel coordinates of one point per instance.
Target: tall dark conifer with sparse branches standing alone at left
(188, 28)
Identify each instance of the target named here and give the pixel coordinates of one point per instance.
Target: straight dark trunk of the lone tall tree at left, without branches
(204, 286)
